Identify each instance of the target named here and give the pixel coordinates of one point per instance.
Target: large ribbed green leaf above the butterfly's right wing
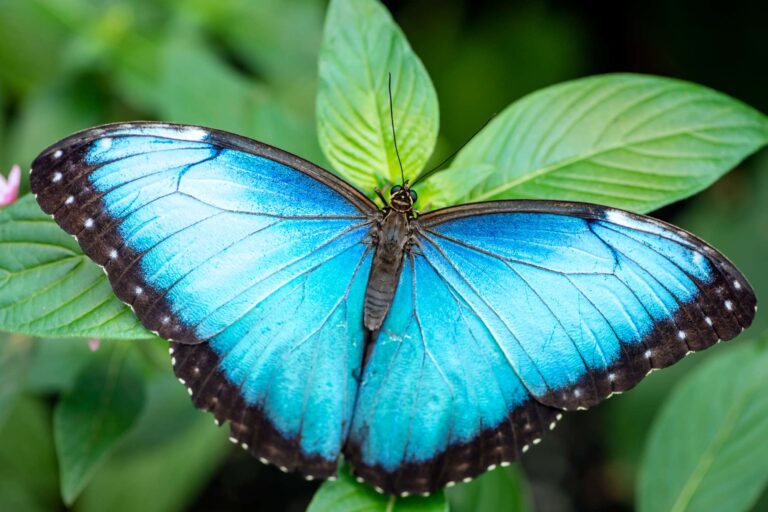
(630, 141)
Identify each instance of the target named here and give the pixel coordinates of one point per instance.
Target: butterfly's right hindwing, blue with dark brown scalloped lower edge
(437, 402)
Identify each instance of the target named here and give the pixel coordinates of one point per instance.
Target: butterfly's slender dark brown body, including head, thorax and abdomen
(391, 237)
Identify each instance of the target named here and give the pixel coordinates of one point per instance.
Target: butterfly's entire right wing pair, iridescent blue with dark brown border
(508, 313)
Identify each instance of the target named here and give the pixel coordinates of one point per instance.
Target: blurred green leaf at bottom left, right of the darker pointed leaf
(165, 461)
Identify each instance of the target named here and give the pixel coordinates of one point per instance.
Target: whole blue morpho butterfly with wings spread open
(424, 348)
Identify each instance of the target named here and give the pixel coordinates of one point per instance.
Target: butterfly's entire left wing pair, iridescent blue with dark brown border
(248, 258)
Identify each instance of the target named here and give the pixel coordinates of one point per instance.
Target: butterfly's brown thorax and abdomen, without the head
(391, 239)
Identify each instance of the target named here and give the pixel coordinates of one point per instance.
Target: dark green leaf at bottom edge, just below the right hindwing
(500, 489)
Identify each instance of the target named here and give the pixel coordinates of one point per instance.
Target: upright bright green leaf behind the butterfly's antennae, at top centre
(361, 46)
